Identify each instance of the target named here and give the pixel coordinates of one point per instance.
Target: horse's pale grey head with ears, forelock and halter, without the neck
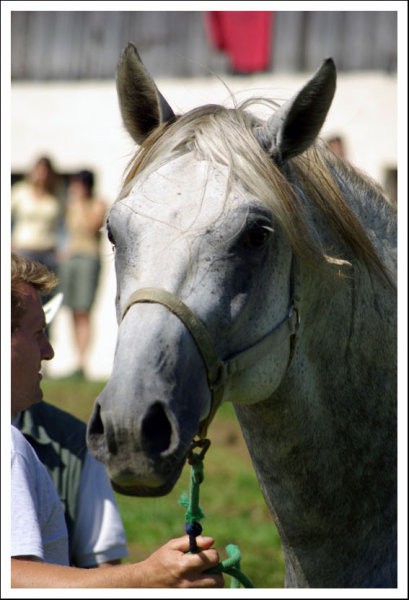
(206, 279)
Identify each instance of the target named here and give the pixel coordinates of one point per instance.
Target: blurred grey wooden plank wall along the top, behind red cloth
(64, 45)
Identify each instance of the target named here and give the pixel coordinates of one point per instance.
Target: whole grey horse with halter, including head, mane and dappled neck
(255, 266)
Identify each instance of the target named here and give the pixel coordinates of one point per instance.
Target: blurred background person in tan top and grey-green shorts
(80, 261)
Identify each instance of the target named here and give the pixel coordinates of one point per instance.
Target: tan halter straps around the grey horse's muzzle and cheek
(218, 370)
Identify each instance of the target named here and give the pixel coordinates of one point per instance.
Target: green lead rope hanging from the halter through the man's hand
(194, 514)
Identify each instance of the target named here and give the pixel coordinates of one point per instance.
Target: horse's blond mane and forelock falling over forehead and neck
(317, 177)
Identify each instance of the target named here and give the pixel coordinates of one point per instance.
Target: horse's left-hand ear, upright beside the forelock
(142, 105)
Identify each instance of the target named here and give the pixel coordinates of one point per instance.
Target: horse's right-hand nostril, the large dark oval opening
(156, 430)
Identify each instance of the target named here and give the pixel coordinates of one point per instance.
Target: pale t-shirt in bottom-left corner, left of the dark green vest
(38, 528)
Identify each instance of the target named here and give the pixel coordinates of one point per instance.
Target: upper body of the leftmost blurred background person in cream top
(36, 215)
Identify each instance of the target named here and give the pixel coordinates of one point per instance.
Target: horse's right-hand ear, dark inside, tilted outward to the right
(297, 123)
